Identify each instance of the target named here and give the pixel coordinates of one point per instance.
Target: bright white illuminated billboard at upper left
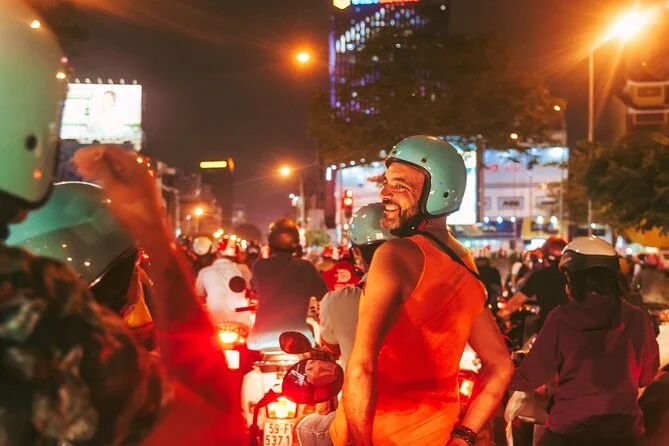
(107, 113)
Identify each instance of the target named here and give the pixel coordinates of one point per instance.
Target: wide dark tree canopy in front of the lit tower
(409, 82)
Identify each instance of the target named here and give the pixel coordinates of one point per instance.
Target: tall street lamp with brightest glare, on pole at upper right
(624, 29)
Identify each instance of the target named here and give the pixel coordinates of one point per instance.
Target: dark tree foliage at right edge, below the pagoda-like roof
(628, 182)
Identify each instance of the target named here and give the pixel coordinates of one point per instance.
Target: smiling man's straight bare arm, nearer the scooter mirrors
(382, 296)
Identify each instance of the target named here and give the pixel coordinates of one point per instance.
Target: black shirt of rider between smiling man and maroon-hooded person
(548, 286)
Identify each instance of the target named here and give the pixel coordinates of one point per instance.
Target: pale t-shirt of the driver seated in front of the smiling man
(339, 318)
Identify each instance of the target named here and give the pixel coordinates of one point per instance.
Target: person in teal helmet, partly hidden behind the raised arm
(76, 228)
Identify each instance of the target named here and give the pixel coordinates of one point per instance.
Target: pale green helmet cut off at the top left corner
(32, 91)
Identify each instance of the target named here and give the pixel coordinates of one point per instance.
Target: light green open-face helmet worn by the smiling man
(444, 167)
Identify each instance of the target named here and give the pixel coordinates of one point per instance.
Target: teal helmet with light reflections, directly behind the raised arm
(76, 227)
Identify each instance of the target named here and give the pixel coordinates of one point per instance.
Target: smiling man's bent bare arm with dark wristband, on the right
(496, 370)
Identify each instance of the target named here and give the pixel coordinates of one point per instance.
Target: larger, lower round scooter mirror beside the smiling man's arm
(313, 381)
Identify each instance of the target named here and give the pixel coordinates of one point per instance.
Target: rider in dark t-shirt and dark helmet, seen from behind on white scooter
(284, 285)
